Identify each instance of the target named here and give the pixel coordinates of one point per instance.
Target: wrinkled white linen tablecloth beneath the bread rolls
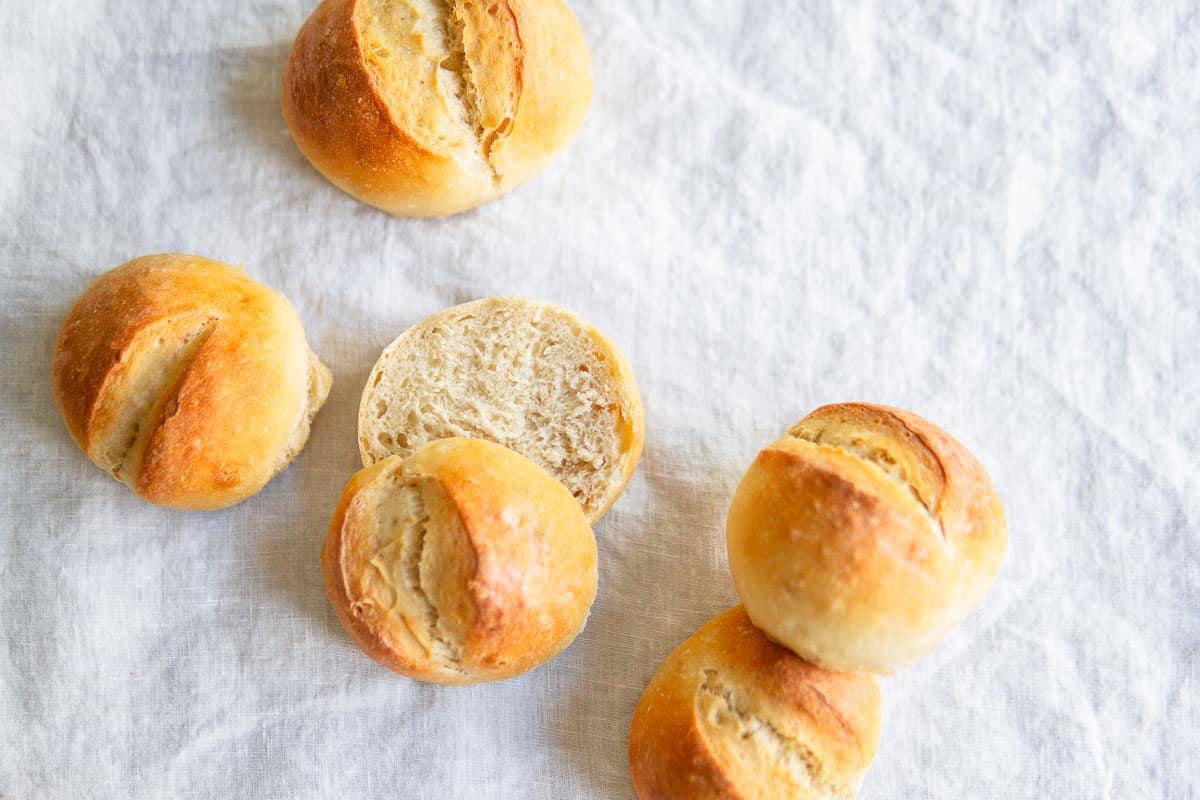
(987, 213)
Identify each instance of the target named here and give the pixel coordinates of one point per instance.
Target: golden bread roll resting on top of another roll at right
(863, 537)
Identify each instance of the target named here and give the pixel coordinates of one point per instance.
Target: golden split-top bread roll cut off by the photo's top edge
(425, 109)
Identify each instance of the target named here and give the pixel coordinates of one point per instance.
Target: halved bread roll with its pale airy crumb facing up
(527, 375)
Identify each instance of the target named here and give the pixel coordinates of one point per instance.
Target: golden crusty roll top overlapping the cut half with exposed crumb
(461, 564)
